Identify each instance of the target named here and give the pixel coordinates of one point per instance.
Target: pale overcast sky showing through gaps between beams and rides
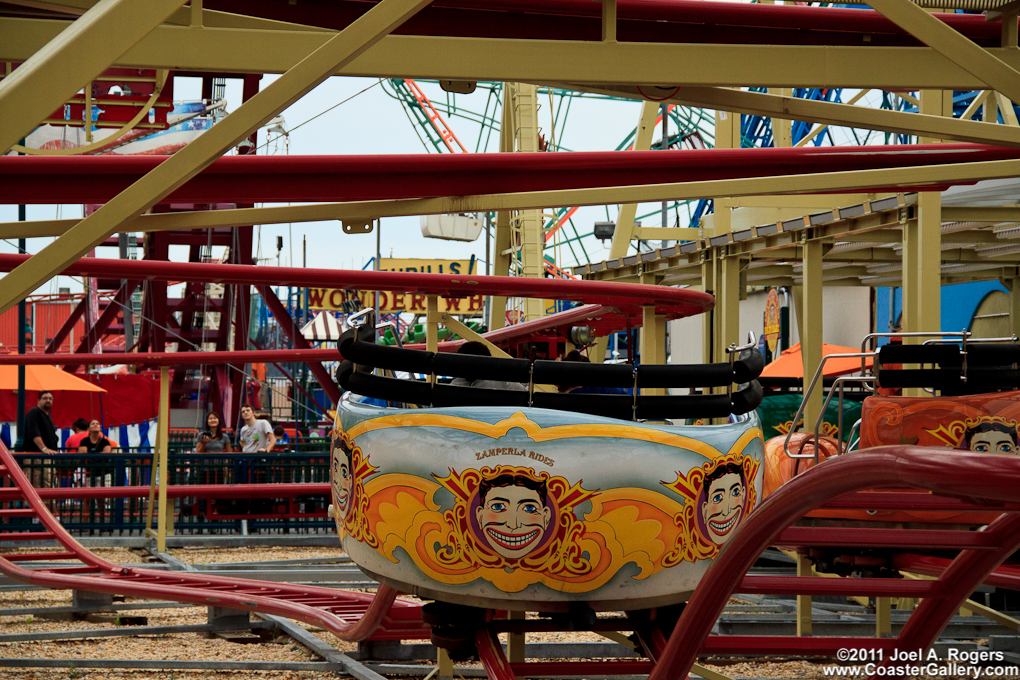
(375, 123)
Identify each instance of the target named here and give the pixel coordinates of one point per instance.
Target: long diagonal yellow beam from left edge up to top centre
(338, 51)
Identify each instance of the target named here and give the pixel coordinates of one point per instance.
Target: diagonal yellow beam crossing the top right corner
(951, 44)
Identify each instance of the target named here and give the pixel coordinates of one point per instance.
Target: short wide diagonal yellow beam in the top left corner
(85, 49)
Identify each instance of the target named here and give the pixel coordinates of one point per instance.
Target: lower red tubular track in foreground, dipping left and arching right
(988, 482)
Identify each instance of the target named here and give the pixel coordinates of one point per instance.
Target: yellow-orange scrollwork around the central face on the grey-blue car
(573, 555)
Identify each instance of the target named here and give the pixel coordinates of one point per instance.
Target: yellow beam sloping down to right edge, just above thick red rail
(827, 114)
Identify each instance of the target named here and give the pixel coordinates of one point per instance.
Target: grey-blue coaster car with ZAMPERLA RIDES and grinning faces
(493, 499)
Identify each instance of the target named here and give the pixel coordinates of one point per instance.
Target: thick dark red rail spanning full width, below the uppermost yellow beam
(50, 180)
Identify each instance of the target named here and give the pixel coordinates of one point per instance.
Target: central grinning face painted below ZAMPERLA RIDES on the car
(513, 514)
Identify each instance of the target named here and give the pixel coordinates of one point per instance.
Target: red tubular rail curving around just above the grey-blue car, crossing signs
(680, 302)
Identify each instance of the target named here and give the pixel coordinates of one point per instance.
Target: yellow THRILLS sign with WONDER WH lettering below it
(332, 299)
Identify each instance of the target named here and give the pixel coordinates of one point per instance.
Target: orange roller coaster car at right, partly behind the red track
(975, 406)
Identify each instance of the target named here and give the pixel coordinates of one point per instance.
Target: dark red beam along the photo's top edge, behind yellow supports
(638, 21)
